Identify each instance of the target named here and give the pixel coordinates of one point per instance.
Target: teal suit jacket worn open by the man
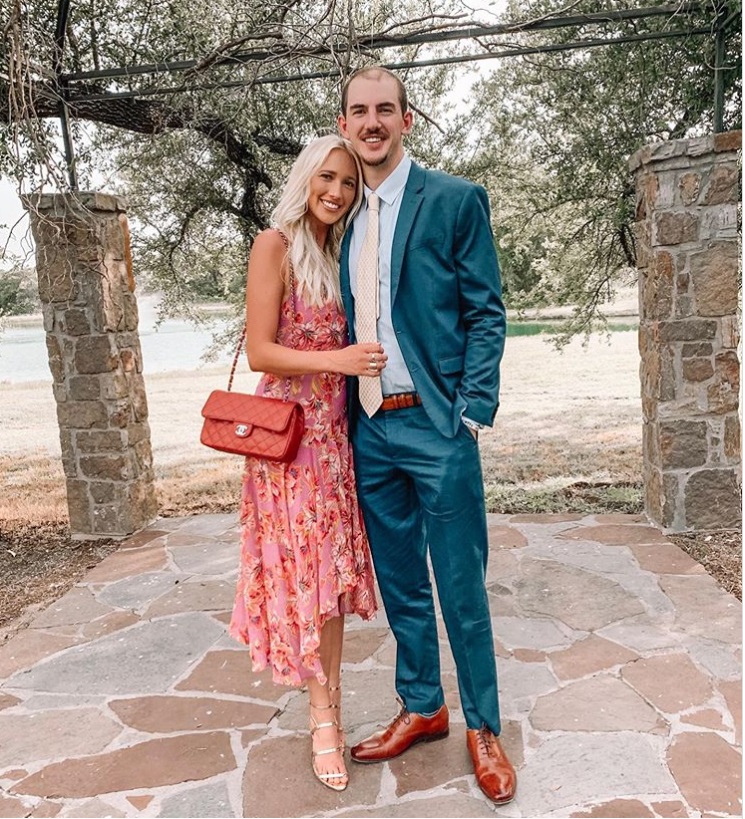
(446, 299)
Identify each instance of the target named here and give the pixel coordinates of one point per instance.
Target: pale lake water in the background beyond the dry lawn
(174, 345)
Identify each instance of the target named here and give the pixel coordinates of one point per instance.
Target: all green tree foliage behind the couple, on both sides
(548, 134)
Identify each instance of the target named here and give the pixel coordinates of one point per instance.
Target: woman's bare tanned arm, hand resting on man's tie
(265, 292)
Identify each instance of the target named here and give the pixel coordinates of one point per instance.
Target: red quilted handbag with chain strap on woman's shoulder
(253, 425)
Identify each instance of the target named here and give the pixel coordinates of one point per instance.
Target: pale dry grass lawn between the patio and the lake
(565, 417)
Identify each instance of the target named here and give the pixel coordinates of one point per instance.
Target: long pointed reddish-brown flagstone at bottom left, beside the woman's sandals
(150, 764)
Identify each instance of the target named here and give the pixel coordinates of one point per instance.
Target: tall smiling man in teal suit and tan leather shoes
(441, 322)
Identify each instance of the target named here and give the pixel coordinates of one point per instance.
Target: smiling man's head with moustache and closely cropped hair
(375, 124)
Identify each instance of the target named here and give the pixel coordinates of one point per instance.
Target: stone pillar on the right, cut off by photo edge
(687, 195)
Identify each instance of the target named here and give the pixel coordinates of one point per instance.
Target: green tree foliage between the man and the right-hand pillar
(560, 128)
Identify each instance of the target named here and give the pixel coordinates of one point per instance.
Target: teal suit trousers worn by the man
(423, 492)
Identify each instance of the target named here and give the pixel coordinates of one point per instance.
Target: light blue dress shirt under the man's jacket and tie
(395, 377)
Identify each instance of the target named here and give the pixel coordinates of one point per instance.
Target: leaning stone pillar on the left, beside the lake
(90, 317)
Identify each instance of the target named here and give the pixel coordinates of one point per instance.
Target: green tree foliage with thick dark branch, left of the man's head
(198, 165)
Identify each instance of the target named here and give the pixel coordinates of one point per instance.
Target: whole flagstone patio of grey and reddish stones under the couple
(620, 676)
